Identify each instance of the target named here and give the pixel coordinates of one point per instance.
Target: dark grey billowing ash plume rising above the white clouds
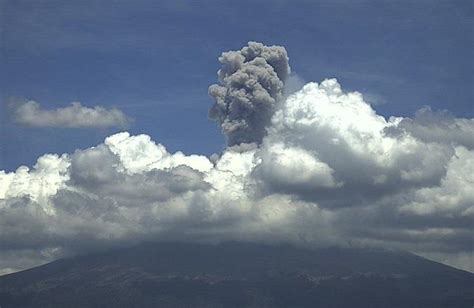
(251, 83)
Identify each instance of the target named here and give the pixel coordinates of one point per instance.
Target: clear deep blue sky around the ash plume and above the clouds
(154, 60)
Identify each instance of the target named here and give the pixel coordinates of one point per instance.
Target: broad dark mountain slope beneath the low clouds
(239, 275)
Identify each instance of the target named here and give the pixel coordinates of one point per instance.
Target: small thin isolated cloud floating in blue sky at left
(73, 116)
